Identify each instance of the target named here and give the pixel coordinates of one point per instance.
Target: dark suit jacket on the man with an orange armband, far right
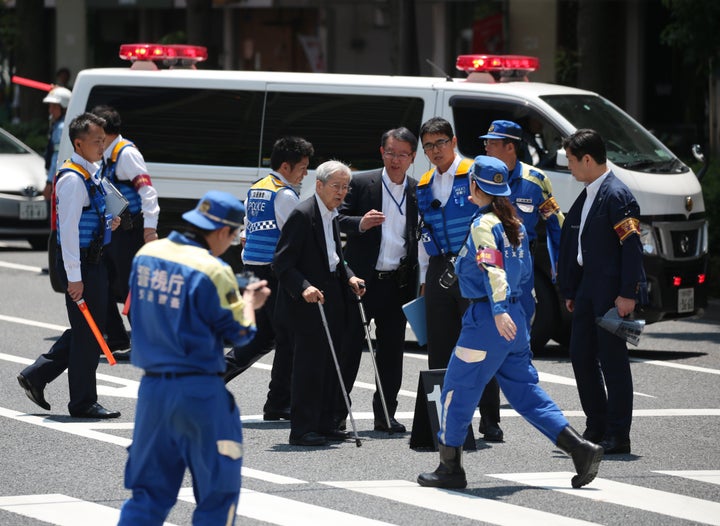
(611, 267)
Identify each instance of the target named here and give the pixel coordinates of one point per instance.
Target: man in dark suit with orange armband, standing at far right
(600, 267)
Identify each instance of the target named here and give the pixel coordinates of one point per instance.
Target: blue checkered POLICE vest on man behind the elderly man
(262, 232)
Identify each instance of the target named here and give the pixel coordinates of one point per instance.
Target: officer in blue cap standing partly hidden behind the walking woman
(531, 193)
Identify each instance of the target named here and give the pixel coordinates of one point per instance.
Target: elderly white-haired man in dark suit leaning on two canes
(311, 269)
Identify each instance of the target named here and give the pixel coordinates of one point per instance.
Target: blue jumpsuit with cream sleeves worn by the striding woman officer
(493, 286)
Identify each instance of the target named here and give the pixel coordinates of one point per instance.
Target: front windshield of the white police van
(629, 145)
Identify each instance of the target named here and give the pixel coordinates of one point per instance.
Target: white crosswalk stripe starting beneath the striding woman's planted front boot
(456, 503)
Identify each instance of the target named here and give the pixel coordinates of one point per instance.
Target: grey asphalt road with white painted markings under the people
(62, 471)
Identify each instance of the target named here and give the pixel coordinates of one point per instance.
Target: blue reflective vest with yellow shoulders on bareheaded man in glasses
(444, 228)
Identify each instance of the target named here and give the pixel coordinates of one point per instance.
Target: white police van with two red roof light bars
(202, 129)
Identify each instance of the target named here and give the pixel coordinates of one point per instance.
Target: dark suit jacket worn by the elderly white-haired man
(301, 260)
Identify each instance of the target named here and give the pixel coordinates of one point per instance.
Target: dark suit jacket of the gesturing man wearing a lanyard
(362, 249)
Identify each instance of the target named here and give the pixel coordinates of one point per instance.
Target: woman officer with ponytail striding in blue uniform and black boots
(492, 268)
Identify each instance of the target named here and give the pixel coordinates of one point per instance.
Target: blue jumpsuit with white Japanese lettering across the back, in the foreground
(185, 303)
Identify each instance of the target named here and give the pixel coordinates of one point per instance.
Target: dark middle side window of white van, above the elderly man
(345, 127)
